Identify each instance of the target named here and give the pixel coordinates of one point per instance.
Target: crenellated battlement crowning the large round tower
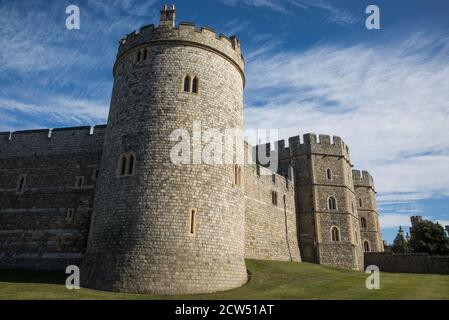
(186, 33)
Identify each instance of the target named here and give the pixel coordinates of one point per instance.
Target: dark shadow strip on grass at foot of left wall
(32, 276)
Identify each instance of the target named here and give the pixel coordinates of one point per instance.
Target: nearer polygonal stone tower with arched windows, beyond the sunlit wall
(328, 220)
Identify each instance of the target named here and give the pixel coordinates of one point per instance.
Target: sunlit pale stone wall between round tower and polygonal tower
(270, 230)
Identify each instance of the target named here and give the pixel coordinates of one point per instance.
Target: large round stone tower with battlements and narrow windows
(162, 227)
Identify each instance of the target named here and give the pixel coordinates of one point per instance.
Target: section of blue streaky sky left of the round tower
(61, 77)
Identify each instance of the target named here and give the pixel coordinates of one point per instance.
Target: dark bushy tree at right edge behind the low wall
(429, 237)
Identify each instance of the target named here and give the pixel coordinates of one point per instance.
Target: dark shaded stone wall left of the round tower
(36, 229)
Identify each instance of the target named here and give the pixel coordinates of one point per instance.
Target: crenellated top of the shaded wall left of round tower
(51, 141)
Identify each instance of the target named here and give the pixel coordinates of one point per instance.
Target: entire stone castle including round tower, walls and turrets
(165, 227)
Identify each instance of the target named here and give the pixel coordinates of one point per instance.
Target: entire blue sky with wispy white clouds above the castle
(311, 66)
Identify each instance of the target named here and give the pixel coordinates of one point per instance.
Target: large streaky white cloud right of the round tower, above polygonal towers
(388, 101)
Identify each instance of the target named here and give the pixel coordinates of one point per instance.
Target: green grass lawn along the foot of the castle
(269, 280)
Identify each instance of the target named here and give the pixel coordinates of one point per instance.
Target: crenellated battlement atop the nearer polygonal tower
(309, 144)
